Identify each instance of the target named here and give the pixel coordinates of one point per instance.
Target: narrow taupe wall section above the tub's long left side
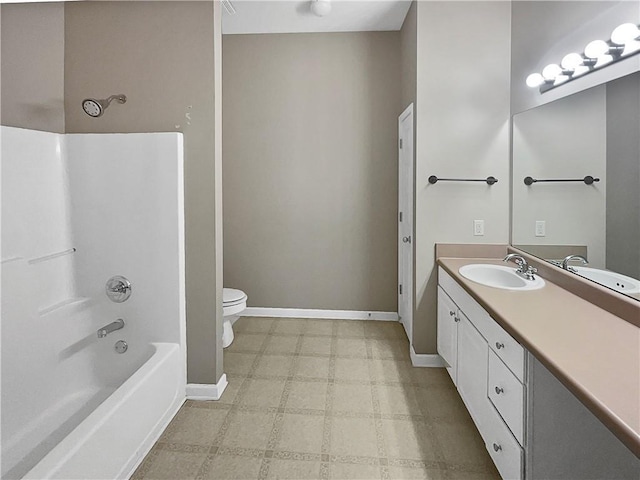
(32, 66)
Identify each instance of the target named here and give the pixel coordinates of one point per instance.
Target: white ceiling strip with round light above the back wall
(286, 16)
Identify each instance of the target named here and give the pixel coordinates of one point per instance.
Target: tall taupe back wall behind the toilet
(310, 169)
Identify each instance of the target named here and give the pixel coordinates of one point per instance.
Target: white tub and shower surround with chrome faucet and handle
(77, 210)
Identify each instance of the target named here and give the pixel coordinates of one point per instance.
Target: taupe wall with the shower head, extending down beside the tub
(161, 55)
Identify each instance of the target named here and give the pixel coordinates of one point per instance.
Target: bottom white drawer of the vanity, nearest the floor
(505, 451)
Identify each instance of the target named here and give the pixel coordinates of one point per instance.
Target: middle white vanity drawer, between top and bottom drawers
(507, 395)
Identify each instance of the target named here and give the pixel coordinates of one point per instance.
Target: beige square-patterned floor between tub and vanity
(322, 399)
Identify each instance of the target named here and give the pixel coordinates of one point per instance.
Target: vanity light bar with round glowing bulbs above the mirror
(625, 41)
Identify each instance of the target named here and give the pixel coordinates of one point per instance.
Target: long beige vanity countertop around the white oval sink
(594, 353)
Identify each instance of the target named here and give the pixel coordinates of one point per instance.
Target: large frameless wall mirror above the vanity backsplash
(594, 133)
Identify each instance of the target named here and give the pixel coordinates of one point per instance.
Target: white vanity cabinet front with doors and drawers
(488, 368)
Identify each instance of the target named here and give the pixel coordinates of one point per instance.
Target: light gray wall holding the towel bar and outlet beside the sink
(462, 132)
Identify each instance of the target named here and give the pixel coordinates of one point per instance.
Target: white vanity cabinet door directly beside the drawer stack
(473, 357)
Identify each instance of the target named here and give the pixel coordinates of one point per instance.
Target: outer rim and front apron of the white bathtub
(113, 439)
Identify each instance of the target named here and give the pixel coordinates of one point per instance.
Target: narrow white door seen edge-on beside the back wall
(405, 220)
